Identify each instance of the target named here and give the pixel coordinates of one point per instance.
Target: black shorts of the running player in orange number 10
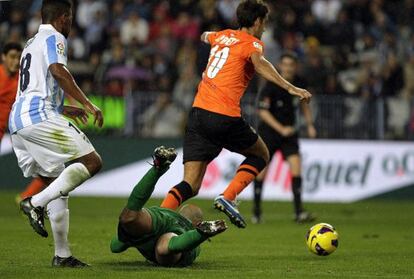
(208, 132)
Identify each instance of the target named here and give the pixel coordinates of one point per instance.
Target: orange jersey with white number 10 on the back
(228, 71)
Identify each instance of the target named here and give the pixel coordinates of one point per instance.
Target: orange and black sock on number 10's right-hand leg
(248, 170)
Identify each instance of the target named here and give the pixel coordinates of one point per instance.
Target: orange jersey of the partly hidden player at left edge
(8, 89)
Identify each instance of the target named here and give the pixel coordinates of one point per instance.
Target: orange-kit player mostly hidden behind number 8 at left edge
(9, 74)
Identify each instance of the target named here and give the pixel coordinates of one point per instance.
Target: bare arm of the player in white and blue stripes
(66, 81)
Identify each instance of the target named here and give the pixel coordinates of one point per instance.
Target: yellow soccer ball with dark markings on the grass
(322, 239)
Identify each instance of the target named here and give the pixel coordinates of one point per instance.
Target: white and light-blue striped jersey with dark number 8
(39, 96)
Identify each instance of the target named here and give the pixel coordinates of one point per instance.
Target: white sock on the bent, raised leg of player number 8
(68, 180)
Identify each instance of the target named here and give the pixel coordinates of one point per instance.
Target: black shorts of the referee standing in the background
(275, 141)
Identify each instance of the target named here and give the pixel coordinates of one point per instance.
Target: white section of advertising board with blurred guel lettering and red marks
(333, 171)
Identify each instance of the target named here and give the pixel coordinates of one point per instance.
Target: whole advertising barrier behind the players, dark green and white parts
(333, 170)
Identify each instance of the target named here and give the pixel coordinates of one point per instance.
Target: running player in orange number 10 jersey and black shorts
(215, 120)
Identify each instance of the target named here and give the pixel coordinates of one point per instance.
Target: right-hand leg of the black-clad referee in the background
(301, 215)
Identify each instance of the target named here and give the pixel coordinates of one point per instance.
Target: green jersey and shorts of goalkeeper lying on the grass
(163, 221)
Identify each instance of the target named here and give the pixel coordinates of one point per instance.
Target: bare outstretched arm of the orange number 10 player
(268, 71)
